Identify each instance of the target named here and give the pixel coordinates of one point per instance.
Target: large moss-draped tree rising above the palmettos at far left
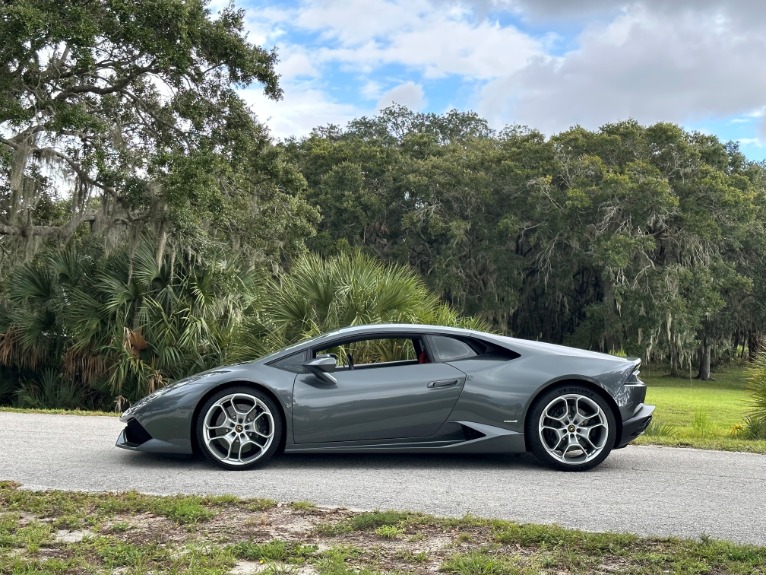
(127, 115)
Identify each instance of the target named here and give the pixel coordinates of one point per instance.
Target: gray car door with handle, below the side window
(390, 400)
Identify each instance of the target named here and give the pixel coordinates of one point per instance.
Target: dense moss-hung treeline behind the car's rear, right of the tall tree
(643, 240)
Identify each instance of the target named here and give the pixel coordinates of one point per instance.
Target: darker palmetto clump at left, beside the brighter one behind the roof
(119, 325)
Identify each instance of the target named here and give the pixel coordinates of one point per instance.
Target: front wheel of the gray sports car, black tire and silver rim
(239, 428)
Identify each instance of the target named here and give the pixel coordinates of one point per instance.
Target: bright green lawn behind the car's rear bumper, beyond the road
(704, 414)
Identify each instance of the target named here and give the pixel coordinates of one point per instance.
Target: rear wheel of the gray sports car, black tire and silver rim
(571, 428)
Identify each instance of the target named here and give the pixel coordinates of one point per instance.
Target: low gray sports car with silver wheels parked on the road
(400, 388)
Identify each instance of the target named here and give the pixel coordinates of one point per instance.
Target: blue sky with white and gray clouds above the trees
(545, 64)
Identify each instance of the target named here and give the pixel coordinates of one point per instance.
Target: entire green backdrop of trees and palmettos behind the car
(150, 227)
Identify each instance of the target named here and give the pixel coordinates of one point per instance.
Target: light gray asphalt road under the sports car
(643, 490)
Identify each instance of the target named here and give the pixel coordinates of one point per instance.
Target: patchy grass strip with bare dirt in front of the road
(132, 534)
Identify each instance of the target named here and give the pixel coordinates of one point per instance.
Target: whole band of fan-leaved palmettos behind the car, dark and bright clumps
(87, 328)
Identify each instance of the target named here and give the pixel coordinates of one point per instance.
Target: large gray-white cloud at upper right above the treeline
(652, 66)
